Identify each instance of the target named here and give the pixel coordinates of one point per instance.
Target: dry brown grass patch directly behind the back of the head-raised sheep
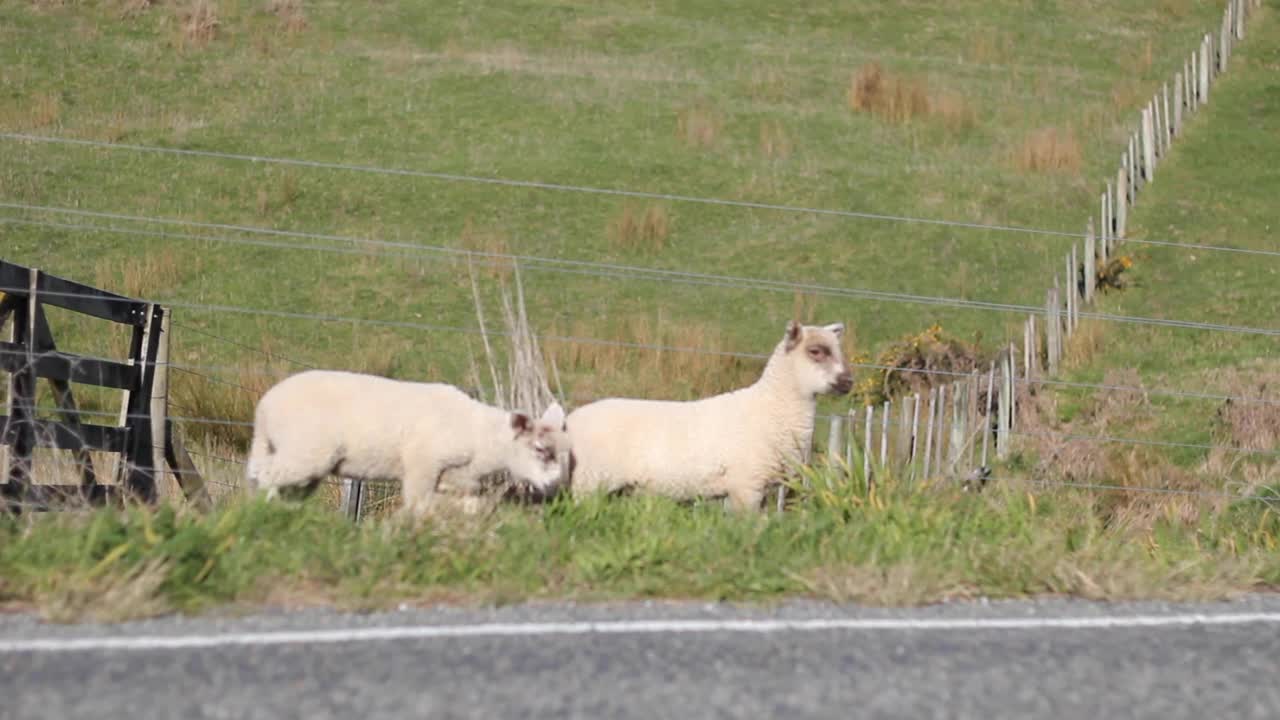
(597, 371)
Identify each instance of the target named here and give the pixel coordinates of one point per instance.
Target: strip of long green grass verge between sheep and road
(894, 546)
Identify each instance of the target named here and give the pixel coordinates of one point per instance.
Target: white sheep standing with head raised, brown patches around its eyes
(733, 445)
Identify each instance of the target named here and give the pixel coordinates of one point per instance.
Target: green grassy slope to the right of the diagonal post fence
(1217, 188)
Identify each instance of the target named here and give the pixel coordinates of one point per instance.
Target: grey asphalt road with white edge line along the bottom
(976, 660)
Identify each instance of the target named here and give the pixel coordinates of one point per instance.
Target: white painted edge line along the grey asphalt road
(623, 627)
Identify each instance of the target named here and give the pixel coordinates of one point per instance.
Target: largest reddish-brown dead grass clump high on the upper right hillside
(899, 99)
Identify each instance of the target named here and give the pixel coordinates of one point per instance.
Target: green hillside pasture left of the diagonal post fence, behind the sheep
(583, 95)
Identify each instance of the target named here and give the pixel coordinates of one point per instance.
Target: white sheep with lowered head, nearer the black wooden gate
(432, 438)
